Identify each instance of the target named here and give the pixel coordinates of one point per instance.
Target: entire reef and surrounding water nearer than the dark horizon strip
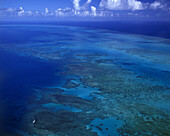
(63, 80)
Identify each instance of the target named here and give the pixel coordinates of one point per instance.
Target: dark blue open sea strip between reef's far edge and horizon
(151, 28)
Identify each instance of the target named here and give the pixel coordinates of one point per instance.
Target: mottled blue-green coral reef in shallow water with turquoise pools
(111, 84)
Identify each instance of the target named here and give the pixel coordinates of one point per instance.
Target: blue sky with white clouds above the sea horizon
(110, 9)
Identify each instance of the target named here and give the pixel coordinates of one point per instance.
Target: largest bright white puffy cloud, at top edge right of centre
(121, 4)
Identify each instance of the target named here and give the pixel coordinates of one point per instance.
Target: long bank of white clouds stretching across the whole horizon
(107, 8)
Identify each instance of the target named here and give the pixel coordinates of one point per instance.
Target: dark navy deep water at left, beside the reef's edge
(20, 74)
